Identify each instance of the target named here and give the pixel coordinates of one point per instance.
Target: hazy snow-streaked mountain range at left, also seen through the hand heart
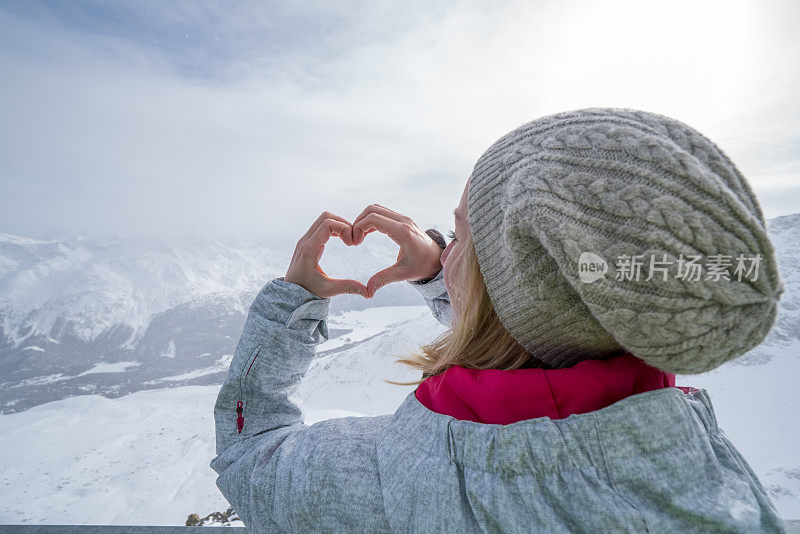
(118, 315)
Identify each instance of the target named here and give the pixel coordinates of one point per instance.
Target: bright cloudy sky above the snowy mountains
(248, 119)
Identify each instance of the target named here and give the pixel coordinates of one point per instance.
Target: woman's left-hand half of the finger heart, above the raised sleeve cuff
(304, 269)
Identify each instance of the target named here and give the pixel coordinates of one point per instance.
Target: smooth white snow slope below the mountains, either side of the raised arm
(143, 458)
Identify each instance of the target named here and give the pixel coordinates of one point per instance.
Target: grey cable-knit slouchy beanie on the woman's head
(608, 229)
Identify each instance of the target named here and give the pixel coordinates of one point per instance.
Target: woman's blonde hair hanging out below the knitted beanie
(476, 339)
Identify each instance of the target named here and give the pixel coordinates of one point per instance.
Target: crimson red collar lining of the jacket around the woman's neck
(503, 397)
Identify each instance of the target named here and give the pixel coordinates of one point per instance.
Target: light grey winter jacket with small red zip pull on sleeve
(652, 462)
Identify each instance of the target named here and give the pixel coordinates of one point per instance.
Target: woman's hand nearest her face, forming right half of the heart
(419, 257)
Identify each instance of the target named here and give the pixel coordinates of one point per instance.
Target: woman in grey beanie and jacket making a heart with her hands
(550, 403)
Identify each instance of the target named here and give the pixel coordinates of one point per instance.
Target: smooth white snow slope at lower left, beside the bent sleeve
(141, 459)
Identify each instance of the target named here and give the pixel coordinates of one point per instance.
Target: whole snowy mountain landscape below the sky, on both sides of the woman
(142, 458)
